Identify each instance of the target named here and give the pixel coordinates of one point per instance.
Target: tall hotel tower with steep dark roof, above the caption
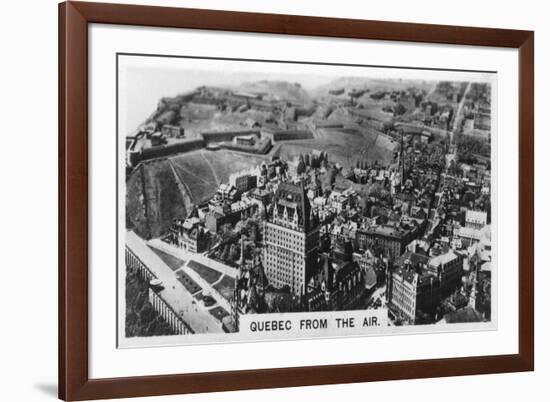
(291, 236)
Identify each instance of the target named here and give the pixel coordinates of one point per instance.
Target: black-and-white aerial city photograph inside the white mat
(280, 192)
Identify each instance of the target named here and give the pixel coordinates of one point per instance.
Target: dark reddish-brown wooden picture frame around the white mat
(74, 17)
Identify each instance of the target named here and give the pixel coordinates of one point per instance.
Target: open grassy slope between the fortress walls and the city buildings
(165, 189)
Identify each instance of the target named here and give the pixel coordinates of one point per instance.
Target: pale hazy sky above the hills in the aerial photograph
(144, 80)
